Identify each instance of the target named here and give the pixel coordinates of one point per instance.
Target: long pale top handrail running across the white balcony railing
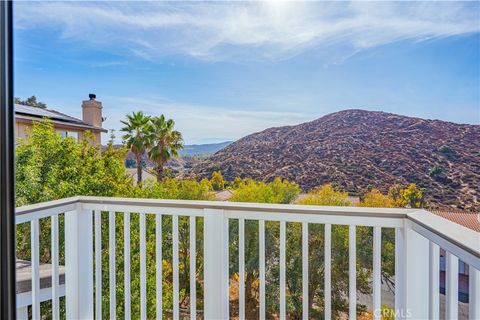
(429, 225)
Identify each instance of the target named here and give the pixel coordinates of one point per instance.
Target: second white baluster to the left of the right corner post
(352, 272)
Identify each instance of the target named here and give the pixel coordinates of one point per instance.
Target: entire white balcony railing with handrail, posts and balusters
(419, 236)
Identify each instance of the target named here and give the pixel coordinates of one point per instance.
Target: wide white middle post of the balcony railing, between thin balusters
(216, 266)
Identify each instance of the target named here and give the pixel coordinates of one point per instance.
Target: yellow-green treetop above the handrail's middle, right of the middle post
(277, 191)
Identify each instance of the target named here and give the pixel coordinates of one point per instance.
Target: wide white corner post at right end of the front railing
(411, 274)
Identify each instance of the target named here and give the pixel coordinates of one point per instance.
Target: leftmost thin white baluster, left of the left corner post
(34, 238)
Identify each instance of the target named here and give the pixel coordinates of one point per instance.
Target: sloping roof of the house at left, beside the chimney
(32, 113)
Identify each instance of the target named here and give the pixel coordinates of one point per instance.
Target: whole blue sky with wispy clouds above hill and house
(223, 70)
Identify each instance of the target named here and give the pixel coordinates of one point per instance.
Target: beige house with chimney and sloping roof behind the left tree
(64, 124)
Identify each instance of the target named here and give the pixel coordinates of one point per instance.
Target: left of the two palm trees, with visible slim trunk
(137, 128)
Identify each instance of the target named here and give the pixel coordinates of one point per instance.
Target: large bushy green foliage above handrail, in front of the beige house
(49, 167)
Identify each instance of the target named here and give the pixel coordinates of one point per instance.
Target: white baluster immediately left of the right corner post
(377, 268)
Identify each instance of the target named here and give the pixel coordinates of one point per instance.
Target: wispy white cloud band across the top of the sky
(247, 30)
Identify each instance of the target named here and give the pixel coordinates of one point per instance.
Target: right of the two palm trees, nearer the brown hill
(165, 143)
